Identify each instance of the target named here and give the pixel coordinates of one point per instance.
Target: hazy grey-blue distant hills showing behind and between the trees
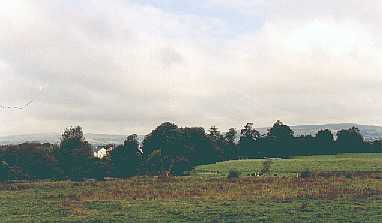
(369, 132)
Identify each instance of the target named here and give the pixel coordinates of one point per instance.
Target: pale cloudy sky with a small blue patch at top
(124, 67)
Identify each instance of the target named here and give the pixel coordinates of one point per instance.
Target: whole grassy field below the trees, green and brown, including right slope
(198, 198)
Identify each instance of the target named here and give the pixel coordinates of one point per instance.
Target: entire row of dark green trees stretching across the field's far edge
(170, 149)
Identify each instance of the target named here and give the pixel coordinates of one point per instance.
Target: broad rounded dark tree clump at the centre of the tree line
(178, 149)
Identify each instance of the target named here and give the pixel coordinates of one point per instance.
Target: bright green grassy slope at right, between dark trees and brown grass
(344, 162)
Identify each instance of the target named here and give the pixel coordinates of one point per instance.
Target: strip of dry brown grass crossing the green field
(74, 196)
